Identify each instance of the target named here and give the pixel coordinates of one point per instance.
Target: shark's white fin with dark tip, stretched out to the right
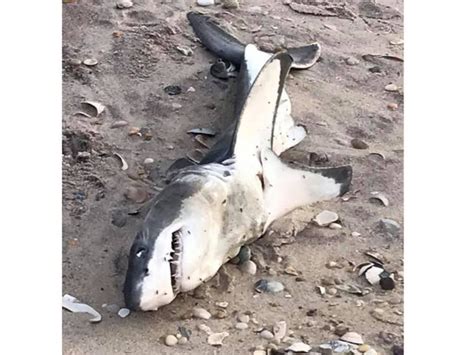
(286, 188)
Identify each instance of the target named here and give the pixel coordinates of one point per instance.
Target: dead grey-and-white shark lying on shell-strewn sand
(208, 211)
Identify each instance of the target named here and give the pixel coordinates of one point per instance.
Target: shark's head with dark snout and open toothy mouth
(176, 249)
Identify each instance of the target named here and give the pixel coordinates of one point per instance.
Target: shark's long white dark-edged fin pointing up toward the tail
(257, 112)
